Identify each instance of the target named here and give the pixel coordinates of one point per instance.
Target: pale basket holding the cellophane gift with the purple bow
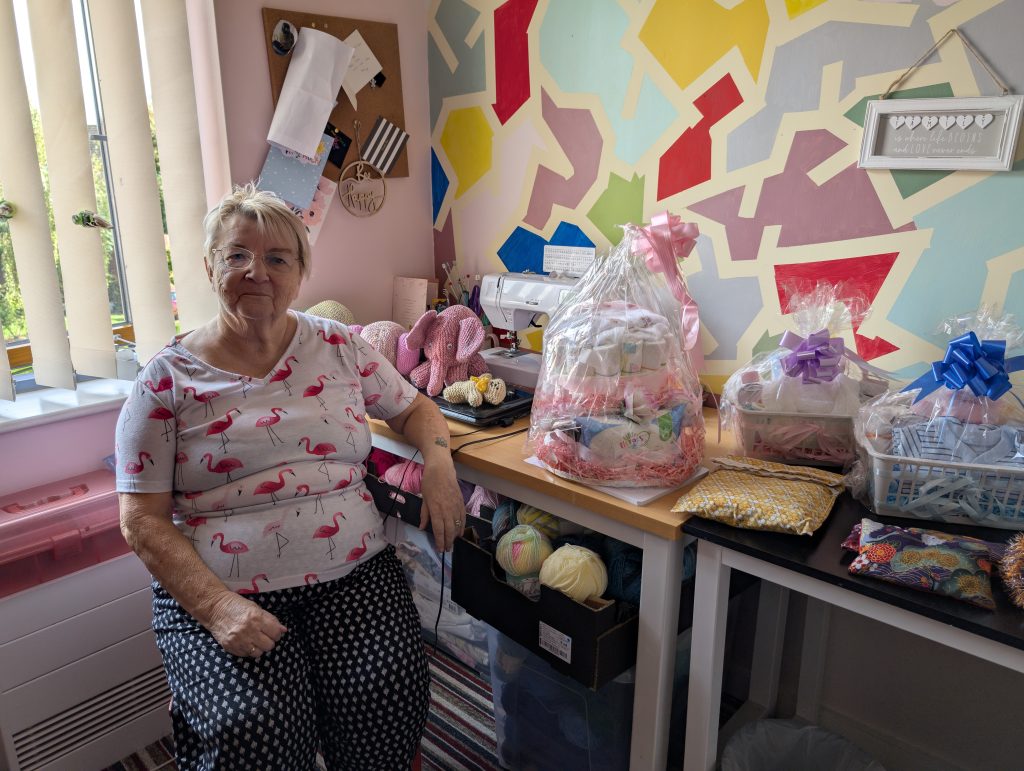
(802, 439)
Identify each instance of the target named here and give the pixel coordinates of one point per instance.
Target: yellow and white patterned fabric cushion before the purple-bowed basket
(763, 496)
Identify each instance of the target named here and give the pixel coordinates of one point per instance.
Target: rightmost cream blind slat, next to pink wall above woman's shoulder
(166, 29)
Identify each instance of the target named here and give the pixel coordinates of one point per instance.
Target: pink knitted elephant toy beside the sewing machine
(451, 342)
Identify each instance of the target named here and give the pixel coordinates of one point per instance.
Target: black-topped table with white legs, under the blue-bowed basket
(817, 567)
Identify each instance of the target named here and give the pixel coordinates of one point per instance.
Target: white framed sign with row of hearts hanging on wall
(978, 134)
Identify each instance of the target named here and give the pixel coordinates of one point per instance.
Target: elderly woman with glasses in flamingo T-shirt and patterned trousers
(283, 616)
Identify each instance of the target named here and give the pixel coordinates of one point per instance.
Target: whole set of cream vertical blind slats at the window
(75, 336)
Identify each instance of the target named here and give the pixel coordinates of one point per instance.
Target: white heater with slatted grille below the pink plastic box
(81, 681)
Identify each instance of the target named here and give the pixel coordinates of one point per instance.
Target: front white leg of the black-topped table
(707, 656)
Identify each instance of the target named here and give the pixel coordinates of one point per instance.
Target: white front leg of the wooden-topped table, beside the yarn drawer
(660, 590)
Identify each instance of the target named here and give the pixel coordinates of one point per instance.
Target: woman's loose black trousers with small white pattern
(350, 679)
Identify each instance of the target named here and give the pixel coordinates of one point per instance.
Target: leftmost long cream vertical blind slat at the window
(30, 231)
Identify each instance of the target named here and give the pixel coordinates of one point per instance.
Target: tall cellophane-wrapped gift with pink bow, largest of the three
(618, 401)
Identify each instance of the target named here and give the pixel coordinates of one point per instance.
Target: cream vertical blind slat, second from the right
(126, 119)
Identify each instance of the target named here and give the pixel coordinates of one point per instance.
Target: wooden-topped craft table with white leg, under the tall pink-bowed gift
(499, 465)
